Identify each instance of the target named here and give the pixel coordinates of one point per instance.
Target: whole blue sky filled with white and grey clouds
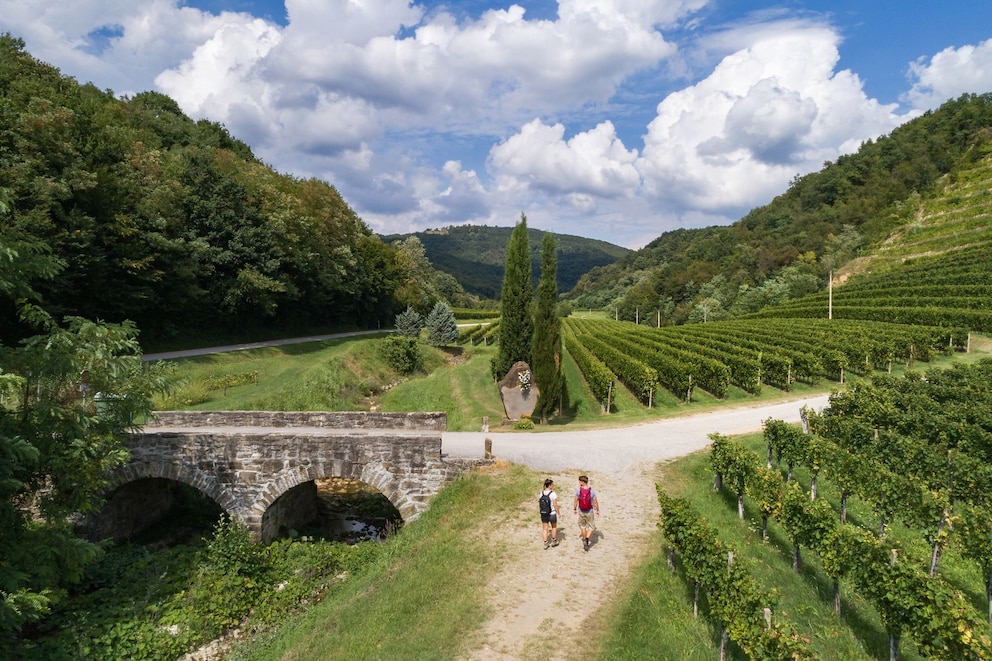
(609, 119)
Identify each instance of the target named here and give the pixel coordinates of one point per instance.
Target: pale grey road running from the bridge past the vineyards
(615, 450)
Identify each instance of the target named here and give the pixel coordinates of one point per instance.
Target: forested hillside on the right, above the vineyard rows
(785, 250)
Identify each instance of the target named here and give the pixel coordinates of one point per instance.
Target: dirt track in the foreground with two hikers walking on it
(545, 599)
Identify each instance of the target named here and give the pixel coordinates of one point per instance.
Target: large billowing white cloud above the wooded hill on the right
(768, 111)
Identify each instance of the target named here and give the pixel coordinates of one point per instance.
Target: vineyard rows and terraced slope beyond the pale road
(922, 292)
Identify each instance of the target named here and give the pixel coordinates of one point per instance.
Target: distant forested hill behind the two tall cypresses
(474, 255)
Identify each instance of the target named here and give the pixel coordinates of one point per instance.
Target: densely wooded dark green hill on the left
(128, 209)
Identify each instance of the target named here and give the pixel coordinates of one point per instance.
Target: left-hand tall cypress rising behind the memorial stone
(516, 324)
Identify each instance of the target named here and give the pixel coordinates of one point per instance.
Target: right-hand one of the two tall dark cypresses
(546, 348)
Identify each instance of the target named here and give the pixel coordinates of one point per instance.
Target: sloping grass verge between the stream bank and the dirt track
(425, 596)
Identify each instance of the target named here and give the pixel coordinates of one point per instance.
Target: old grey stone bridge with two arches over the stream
(260, 466)
